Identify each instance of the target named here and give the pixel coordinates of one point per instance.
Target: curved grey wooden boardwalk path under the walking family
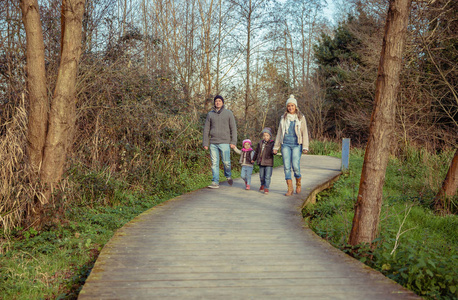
(234, 244)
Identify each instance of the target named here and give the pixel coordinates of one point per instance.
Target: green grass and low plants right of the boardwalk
(416, 247)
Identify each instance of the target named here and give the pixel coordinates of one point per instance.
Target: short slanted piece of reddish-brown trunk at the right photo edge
(449, 186)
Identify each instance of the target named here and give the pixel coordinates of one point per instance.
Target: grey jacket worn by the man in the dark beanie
(220, 128)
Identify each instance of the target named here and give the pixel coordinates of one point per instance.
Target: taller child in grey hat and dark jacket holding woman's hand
(264, 157)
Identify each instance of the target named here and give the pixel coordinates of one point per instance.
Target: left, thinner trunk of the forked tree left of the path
(36, 82)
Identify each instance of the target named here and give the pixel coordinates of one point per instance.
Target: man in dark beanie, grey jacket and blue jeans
(220, 135)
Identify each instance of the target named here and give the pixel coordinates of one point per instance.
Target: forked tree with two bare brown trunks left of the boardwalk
(49, 144)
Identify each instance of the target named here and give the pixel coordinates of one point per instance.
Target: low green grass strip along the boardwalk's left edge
(54, 263)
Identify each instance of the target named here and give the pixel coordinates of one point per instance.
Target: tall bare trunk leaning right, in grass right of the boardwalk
(369, 200)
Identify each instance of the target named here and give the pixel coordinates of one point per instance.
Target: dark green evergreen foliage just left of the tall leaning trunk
(347, 75)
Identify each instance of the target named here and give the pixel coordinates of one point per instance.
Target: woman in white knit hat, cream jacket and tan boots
(293, 136)
